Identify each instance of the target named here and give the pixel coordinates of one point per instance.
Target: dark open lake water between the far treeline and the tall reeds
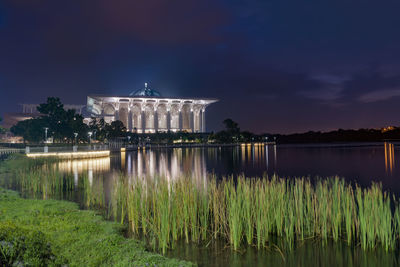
(361, 163)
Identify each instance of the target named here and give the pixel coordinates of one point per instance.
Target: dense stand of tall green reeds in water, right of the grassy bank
(252, 211)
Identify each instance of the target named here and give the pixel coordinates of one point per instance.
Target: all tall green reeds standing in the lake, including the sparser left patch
(243, 211)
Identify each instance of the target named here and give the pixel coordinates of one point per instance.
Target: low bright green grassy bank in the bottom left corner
(50, 232)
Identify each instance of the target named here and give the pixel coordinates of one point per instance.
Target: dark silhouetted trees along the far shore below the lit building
(66, 126)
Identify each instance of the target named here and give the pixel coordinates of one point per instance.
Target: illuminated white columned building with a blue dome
(146, 111)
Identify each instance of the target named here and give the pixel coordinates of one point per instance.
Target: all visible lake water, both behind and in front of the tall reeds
(361, 163)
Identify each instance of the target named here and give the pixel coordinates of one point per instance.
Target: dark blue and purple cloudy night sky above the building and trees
(276, 66)
